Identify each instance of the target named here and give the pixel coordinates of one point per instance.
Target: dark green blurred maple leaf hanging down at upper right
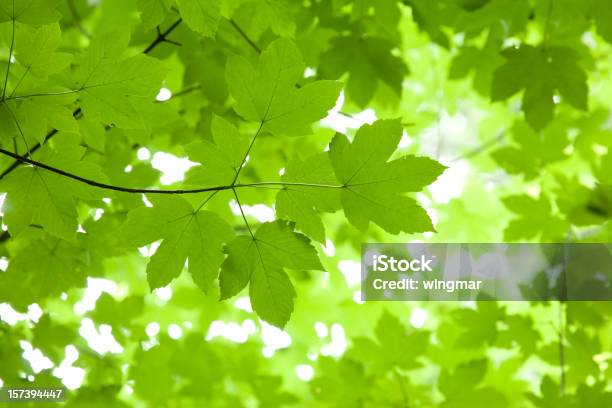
(541, 72)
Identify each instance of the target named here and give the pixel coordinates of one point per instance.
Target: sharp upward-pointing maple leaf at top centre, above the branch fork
(267, 94)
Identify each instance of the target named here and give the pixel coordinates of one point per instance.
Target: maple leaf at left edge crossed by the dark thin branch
(39, 197)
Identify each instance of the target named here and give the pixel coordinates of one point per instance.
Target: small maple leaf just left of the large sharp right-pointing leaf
(302, 203)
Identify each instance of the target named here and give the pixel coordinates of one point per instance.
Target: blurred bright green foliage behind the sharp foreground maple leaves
(512, 96)
